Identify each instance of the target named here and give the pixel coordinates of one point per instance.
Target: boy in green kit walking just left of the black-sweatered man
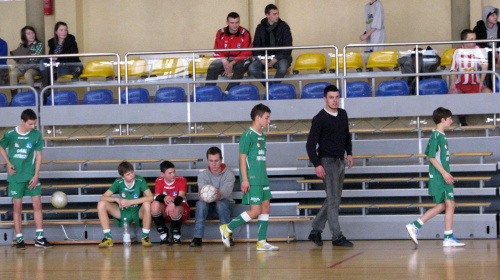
(253, 179)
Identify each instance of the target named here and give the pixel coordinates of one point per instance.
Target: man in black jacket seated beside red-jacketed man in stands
(271, 32)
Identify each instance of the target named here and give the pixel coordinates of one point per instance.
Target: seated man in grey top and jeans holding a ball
(223, 179)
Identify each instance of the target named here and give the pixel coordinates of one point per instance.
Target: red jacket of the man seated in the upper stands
(226, 40)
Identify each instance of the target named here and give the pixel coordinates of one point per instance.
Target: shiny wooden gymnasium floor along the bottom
(299, 260)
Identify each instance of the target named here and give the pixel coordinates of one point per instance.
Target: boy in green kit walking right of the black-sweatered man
(440, 180)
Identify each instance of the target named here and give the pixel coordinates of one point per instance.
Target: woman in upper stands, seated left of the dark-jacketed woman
(29, 68)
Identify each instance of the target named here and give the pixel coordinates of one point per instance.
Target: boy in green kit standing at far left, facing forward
(24, 144)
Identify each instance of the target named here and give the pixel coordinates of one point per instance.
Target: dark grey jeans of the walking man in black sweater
(334, 181)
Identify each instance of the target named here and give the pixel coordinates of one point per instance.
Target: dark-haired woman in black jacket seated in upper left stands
(62, 43)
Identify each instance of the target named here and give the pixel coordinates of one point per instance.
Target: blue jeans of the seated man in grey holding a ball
(220, 209)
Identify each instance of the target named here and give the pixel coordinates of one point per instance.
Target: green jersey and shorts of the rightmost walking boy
(438, 149)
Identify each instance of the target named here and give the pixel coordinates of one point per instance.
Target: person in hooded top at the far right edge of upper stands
(488, 28)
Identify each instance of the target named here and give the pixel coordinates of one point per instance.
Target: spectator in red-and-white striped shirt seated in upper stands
(468, 58)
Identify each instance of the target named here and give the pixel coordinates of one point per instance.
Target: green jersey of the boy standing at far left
(22, 152)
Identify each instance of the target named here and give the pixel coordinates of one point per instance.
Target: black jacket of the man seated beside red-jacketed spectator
(283, 37)
